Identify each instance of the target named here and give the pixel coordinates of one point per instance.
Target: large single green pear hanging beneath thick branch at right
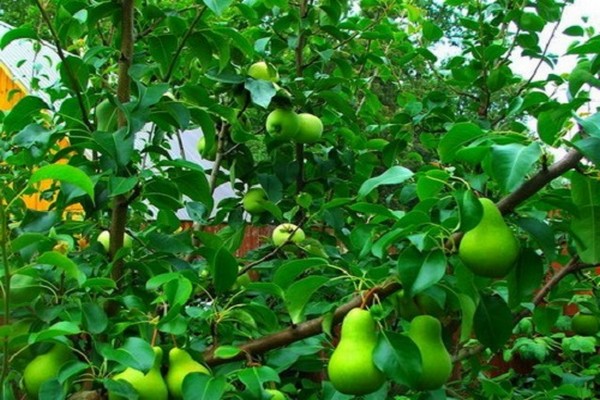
(490, 249)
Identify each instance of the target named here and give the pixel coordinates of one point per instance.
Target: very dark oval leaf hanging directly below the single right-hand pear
(493, 321)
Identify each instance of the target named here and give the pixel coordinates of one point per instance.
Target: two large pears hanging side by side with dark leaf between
(352, 369)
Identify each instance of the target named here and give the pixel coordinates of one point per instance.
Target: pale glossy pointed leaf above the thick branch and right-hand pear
(512, 163)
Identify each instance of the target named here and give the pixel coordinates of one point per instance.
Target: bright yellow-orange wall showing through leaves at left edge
(10, 94)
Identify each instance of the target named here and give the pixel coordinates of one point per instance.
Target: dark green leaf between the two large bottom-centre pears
(398, 358)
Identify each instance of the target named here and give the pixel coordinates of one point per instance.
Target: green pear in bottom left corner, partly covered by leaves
(44, 368)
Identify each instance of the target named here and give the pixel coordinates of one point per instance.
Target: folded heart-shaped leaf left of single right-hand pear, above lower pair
(420, 271)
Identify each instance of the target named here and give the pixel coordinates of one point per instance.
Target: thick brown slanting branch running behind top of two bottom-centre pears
(300, 331)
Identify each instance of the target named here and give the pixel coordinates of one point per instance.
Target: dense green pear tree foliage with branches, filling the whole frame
(423, 114)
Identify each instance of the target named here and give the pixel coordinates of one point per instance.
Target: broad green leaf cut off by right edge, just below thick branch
(586, 229)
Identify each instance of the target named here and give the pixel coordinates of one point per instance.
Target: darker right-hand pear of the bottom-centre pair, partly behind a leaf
(426, 332)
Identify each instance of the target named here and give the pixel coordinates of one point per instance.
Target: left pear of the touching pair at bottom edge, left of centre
(150, 386)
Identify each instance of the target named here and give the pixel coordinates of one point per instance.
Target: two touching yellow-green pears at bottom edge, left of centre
(152, 386)
